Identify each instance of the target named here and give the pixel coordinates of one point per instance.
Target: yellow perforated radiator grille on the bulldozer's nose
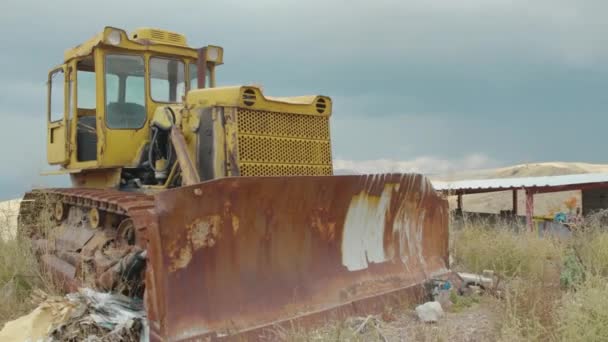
(283, 144)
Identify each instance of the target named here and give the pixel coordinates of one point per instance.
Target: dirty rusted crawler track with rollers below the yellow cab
(78, 251)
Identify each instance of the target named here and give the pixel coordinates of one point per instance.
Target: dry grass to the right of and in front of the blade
(535, 303)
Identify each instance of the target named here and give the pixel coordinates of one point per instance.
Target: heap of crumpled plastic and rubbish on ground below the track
(86, 315)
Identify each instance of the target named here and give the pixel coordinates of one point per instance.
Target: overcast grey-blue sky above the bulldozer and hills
(424, 85)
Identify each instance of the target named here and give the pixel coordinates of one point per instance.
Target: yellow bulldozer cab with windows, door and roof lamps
(102, 98)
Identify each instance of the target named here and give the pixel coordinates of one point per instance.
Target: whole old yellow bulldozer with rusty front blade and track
(217, 205)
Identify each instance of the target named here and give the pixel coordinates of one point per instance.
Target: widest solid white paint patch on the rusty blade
(363, 239)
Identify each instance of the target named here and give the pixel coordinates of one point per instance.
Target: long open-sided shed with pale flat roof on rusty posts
(593, 187)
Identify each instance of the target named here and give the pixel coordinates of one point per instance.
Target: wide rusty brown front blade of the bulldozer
(235, 255)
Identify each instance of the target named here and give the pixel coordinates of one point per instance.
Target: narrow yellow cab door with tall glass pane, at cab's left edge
(57, 125)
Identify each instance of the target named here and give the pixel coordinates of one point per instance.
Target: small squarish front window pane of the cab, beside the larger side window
(167, 79)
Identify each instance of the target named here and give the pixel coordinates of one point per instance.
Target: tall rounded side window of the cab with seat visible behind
(125, 93)
